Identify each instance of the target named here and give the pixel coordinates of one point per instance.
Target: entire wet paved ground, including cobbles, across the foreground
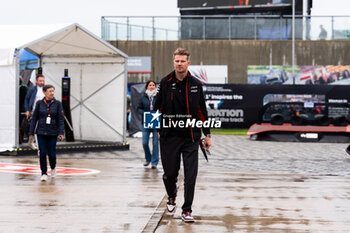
(247, 186)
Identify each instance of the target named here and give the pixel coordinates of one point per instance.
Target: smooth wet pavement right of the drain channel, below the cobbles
(255, 202)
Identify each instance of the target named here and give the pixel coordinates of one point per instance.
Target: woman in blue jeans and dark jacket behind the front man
(146, 104)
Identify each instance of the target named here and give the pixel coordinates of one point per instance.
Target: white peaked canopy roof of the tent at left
(55, 39)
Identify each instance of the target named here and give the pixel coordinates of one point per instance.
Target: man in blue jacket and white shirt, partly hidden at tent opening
(34, 94)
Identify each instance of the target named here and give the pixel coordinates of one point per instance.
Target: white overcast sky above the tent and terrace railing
(88, 12)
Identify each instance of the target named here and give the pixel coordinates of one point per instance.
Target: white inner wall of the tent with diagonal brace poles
(94, 94)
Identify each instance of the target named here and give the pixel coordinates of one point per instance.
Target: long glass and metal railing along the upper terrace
(251, 27)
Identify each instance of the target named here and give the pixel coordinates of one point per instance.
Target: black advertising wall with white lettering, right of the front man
(240, 106)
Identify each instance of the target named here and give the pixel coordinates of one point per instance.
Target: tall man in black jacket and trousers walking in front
(181, 101)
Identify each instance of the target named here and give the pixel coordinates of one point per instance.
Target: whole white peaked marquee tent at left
(98, 80)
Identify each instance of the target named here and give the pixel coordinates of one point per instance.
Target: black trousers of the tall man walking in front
(171, 148)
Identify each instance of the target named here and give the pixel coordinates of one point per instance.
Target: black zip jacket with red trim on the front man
(194, 103)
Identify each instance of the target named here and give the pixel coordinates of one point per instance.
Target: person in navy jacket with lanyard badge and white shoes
(48, 116)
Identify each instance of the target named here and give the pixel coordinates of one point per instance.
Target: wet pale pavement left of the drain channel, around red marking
(120, 198)
